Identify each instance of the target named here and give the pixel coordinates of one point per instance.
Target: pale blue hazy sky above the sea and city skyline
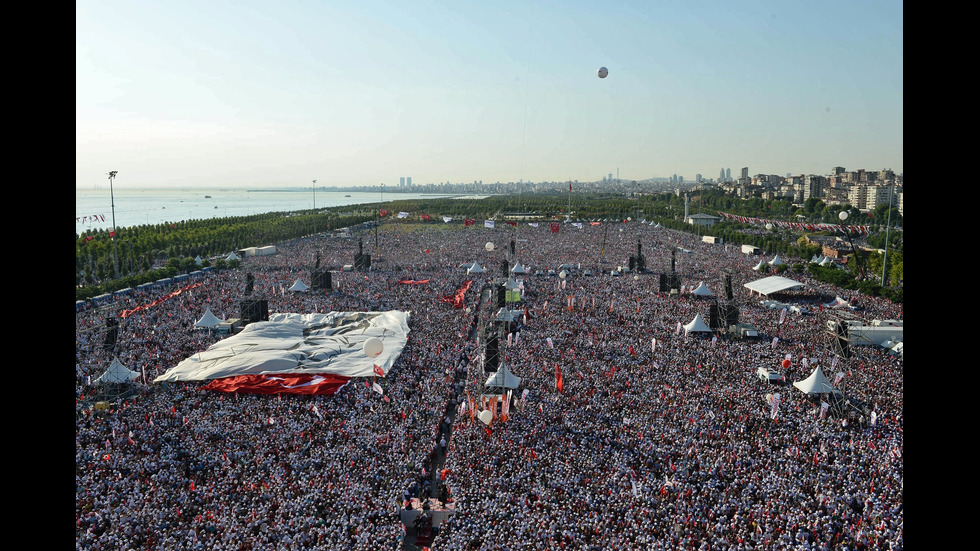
(251, 93)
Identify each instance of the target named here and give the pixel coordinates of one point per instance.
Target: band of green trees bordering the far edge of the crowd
(145, 253)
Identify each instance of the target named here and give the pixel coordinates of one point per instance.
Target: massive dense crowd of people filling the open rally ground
(658, 439)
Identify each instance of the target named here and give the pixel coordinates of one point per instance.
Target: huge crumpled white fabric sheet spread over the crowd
(301, 344)
